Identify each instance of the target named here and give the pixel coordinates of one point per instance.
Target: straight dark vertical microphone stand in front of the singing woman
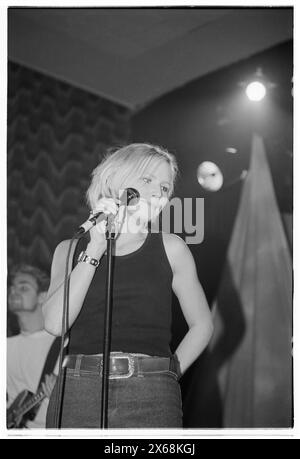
(110, 237)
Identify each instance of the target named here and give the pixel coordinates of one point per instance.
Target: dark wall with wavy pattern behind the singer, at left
(56, 136)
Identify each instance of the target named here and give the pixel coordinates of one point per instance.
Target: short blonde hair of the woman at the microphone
(122, 164)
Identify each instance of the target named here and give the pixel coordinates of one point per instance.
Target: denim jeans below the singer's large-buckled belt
(146, 401)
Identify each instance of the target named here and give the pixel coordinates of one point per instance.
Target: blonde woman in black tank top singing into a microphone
(148, 266)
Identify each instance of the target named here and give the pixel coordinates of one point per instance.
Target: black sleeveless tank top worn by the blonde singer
(142, 297)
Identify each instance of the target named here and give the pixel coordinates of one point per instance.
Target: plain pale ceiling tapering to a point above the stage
(134, 55)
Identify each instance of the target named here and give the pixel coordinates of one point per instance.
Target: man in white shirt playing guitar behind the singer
(27, 352)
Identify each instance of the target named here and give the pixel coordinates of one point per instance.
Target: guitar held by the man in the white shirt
(21, 409)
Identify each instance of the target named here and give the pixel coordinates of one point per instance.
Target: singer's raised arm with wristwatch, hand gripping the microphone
(80, 280)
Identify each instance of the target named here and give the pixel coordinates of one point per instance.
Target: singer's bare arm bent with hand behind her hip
(190, 294)
